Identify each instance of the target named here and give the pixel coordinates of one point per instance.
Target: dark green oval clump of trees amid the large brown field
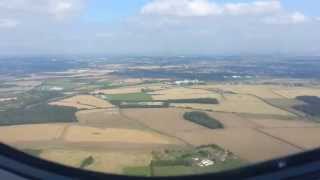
(203, 119)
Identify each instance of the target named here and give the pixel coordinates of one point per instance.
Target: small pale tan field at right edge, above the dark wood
(292, 93)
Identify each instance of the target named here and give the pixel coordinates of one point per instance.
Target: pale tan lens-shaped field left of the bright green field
(83, 102)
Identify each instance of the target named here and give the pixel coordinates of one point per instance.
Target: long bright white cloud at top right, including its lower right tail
(266, 11)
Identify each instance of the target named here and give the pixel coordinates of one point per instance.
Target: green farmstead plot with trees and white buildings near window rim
(186, 161)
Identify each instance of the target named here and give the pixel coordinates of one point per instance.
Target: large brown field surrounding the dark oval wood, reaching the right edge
(242, 136)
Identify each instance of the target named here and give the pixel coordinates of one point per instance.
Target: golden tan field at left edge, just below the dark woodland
(26, 133)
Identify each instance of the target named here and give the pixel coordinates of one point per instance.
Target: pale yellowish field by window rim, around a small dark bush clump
(112, 162)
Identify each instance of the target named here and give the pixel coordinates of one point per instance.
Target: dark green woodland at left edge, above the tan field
(32, 107)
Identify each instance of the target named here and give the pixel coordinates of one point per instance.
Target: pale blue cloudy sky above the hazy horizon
(159, 27)
